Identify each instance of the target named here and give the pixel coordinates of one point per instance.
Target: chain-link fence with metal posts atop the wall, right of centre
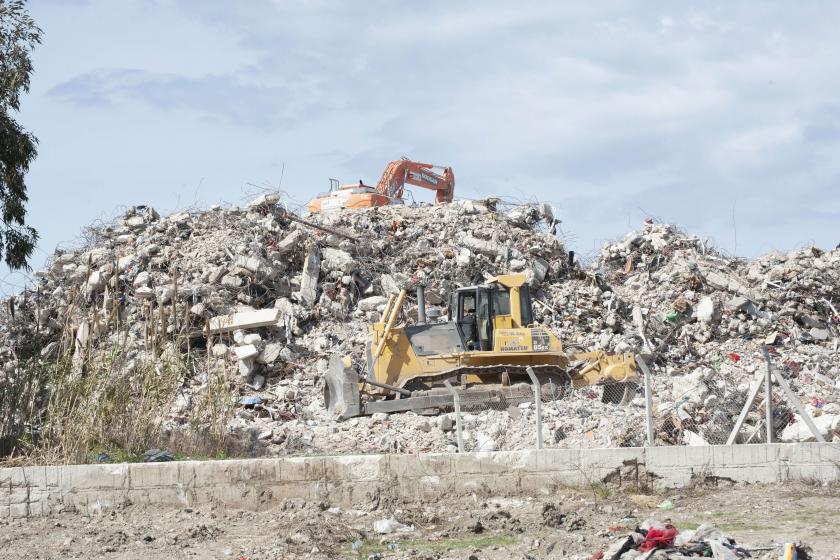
(711, 404)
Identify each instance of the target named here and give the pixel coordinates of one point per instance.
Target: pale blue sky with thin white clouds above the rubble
(722, 117)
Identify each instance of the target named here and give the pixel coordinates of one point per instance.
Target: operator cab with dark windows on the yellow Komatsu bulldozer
(479, 311)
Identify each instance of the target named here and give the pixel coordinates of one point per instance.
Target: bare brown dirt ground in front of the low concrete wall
(572, 524)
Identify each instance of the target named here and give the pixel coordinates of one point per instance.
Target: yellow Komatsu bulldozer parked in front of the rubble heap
(484, 351)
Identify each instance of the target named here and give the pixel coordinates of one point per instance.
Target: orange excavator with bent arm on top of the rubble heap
(389, 189)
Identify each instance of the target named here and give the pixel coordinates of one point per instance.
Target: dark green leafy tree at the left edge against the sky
(18, 36)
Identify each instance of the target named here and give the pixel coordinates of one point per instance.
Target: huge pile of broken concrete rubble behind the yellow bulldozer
(258, 299)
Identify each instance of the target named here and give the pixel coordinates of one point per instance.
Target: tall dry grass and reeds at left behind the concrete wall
(62, 412)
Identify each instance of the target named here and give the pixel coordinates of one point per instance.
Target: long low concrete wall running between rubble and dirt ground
(364, 479)
